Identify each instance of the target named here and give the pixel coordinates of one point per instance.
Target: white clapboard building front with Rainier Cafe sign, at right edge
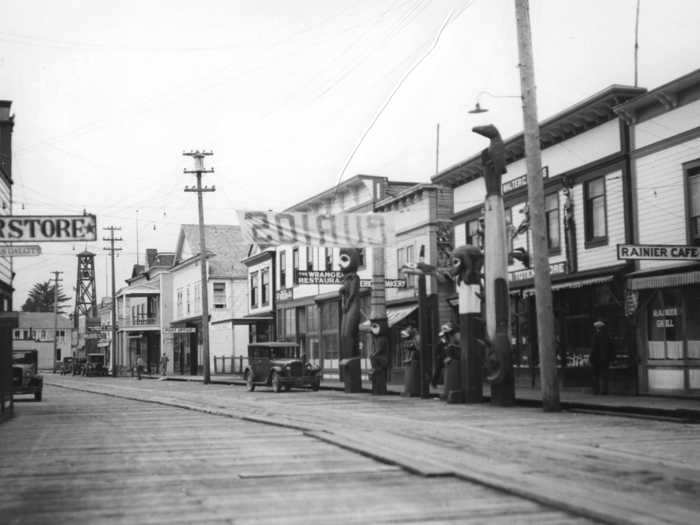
(663, 291)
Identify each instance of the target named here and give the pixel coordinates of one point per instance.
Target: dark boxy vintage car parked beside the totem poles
(279, 365)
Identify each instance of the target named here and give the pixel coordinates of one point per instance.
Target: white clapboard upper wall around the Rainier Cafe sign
(660, 185)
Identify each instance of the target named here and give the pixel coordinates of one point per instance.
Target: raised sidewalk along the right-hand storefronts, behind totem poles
(572, 399)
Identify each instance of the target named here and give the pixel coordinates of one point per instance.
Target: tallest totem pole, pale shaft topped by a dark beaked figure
(497, 340)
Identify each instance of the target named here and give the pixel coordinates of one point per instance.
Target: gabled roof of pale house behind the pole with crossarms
(225, 241)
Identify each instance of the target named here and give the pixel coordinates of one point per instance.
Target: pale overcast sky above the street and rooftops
(291, 98)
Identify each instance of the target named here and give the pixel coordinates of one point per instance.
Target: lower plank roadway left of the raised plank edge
(78, 457)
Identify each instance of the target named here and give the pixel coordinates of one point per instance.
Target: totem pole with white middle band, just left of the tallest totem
(467, 385)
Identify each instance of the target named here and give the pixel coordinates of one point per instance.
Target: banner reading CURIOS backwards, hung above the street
(355, 230)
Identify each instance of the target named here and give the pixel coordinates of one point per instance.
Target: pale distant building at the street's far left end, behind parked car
(35, 331)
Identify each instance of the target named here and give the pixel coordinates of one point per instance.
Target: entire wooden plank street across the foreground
(606, 468)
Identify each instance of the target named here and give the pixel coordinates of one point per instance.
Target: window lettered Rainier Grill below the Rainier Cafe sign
(664, 324)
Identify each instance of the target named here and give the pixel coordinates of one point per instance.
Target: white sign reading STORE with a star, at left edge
(44, 228)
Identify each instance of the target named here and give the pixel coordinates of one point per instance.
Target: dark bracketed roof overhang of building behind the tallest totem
(574, 120)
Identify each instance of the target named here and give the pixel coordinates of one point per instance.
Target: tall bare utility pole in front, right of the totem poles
(535, 189)
